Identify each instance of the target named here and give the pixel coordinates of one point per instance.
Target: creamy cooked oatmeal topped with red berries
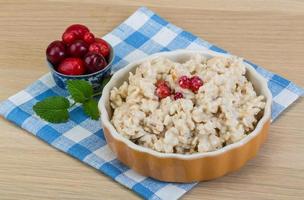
(197, 106)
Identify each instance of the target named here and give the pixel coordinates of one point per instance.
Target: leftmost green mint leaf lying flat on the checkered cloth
(53, 109)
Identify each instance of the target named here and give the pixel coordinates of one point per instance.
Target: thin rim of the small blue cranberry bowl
(112, 56)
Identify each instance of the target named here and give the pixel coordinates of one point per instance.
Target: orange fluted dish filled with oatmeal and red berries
(185, 115)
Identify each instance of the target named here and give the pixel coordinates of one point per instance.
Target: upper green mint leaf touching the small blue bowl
(80, 90)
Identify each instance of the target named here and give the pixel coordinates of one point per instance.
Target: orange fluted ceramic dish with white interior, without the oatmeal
(179, 167)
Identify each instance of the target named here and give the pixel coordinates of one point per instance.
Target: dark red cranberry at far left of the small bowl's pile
(55, 52)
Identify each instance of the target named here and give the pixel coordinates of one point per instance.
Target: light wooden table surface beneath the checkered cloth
(270, 33)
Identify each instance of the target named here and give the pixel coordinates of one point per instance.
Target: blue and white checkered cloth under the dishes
(142, 34)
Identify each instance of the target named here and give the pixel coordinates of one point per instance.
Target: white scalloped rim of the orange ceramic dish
(122, 72)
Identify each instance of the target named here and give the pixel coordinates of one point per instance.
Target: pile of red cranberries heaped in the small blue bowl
(79, 52)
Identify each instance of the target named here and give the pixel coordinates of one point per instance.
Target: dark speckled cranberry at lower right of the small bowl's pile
(94, 62)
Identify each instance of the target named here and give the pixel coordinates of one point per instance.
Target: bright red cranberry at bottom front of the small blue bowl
(71, 66)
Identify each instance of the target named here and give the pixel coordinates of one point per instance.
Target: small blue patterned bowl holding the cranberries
(94, 78)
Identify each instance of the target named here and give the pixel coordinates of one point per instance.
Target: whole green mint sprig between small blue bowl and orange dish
(55, 109)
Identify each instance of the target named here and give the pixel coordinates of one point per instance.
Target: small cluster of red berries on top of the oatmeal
(163, 89)
